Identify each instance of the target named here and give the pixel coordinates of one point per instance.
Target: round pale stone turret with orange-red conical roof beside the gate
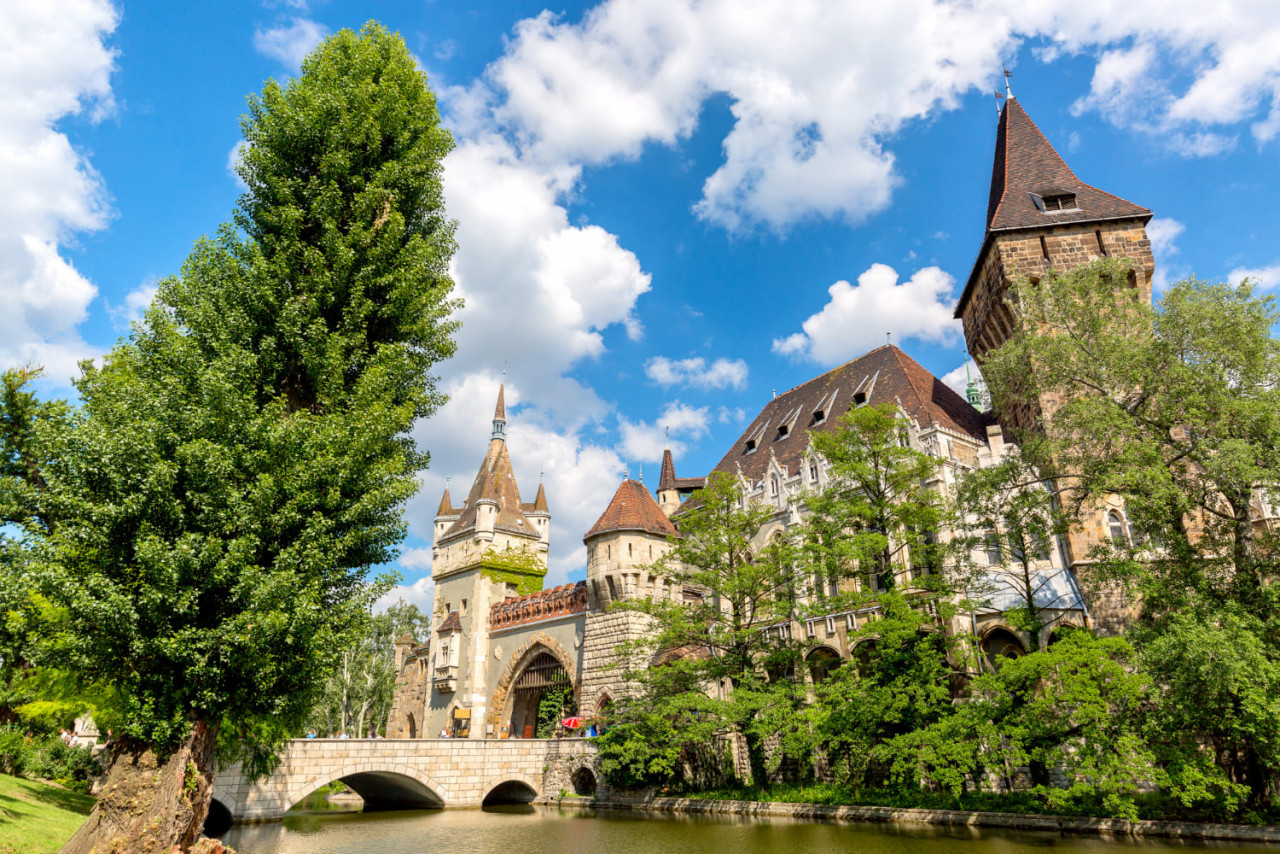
(630, 536)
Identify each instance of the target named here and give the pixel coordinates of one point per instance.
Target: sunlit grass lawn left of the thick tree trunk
(38, 818)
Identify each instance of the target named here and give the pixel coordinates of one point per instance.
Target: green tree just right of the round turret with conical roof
(726, 654)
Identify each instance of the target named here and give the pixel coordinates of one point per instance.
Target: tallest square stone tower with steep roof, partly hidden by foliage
(1041, 217)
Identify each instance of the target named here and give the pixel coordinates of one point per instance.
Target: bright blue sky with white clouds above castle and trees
(668, 209)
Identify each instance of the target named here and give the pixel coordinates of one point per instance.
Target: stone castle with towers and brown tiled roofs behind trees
(501, 642)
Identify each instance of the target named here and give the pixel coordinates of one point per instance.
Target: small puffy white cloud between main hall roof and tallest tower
(858, 317)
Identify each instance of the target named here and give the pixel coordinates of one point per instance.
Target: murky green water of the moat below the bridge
(537, 830)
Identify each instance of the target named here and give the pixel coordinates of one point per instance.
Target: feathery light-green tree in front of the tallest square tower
(1174, 407)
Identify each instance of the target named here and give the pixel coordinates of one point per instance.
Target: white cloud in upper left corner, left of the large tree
(60, 67)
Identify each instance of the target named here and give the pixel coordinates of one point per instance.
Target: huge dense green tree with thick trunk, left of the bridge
(240, 463)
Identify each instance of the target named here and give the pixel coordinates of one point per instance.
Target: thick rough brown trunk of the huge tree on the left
(152, 803)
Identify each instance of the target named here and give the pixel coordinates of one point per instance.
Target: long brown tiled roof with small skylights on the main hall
(886, 375)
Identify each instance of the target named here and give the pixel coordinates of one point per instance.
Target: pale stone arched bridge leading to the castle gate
(406, 774)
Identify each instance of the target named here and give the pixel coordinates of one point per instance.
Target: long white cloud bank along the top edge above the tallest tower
(815, 113)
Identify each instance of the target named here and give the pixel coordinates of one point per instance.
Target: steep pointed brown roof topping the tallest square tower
(1026, 163)
